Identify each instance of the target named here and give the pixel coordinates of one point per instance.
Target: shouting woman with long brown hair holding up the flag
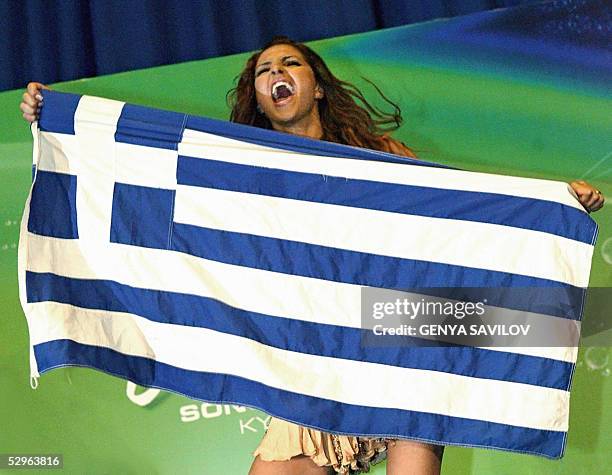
(287, 87)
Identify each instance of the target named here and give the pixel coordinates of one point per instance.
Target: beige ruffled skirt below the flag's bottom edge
(346, 454)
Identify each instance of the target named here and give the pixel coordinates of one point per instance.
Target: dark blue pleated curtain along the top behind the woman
(69, 39)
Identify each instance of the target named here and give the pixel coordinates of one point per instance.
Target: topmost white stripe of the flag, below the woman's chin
(202, 145)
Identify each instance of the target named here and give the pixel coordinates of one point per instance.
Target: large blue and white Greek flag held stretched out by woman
(226, 263)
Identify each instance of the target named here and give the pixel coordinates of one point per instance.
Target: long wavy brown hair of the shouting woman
(346, 116)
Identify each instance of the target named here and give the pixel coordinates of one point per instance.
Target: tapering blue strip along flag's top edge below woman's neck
(295, 143)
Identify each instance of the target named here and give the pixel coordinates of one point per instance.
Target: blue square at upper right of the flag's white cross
(149, 127)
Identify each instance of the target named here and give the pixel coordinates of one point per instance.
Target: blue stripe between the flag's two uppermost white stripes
(482, 207)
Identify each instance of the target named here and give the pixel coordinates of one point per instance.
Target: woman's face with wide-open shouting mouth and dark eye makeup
(286, 88)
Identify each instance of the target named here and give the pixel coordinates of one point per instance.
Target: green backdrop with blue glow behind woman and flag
(491, 112)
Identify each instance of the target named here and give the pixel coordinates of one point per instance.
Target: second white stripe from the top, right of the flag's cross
(448, 241)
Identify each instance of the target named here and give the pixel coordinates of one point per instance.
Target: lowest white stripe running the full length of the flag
(200, 349)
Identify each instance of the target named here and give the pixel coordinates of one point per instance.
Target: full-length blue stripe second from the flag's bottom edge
(314, 338)
